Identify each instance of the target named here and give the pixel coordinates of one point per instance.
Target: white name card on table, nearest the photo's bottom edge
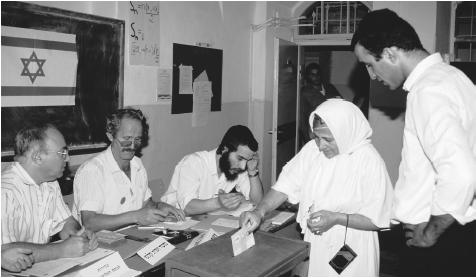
(110, 266)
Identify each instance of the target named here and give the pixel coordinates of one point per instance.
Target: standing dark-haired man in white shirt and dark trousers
(435, 191)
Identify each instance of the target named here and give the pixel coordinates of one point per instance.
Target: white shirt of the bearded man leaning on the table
(196, 177)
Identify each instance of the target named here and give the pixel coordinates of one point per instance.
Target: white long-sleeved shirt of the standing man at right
(437, 174)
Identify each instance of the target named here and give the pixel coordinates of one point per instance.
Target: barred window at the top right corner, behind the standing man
(465, 32)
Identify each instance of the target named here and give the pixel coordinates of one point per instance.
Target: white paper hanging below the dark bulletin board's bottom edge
(202, 99)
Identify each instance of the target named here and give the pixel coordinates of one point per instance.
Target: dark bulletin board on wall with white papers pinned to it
(200, 58)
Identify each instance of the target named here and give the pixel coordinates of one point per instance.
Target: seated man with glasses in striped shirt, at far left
(33, 209)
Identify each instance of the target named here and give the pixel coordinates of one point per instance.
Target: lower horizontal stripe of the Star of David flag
(37, 91)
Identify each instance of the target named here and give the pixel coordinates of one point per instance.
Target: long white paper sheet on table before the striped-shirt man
(56, 267)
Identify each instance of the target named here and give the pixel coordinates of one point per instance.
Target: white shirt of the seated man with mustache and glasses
(101, 186)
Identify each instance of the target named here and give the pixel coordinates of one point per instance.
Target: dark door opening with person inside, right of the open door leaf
(340, 74)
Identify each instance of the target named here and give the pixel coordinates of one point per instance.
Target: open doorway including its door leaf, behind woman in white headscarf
(339, 67)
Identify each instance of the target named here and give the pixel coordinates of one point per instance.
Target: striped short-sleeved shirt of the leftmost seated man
(30, 212)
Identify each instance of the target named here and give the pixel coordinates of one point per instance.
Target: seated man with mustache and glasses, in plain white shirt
(111, 190)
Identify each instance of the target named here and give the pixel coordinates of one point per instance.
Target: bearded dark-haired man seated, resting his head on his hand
(219, 179)
